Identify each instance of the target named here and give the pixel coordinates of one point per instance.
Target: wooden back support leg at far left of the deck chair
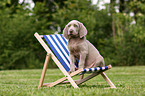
(44, 70)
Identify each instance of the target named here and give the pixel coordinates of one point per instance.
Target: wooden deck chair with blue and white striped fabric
(58, 51)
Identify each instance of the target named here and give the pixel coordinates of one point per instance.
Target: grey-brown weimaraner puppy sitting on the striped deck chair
(81, 48)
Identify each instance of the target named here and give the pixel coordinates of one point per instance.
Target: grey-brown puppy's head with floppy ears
(74, 29)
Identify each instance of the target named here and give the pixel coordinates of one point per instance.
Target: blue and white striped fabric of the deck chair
(58, 44)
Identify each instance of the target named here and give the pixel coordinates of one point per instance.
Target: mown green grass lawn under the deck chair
(130, 81)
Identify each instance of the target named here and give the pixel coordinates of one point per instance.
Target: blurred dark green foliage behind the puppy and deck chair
(120, 41)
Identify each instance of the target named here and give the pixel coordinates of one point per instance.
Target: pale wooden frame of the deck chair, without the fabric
(67, 76)
